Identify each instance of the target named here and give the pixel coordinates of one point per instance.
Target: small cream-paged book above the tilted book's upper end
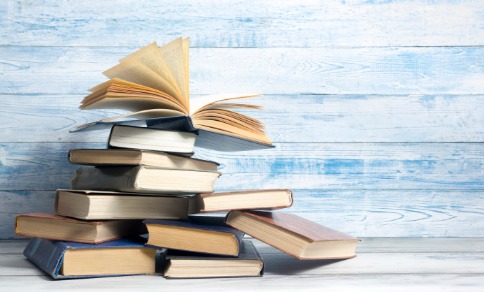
(246, 199)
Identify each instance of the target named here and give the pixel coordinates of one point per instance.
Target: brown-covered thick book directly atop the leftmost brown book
(99, 205)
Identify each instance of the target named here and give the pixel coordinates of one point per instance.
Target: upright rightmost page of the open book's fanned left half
(173, 55)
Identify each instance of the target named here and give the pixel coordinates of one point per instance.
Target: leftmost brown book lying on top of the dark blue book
(51, 226)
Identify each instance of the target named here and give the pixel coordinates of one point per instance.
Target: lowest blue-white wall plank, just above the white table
(362, 213)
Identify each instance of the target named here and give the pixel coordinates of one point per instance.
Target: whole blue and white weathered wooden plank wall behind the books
(376, 107)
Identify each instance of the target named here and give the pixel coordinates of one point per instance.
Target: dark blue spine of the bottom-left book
(45, 254)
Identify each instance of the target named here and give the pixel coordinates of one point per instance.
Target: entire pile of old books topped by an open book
(145, 202)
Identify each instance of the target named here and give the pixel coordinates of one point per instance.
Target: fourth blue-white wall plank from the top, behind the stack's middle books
(331, 166)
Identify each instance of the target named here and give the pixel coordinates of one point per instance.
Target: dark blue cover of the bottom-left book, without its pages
(48, 255)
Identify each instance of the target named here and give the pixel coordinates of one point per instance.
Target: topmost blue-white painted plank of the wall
(243, 23)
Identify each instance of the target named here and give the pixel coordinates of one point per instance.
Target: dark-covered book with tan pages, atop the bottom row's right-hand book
(194, 236)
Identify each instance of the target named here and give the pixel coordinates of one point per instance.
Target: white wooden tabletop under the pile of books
(382, 264)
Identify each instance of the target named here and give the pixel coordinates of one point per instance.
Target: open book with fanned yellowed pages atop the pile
(153, 85)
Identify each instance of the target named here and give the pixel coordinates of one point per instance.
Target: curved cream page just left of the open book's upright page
(151, 57)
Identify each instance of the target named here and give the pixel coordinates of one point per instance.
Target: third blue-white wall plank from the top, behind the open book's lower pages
(288, 118)
